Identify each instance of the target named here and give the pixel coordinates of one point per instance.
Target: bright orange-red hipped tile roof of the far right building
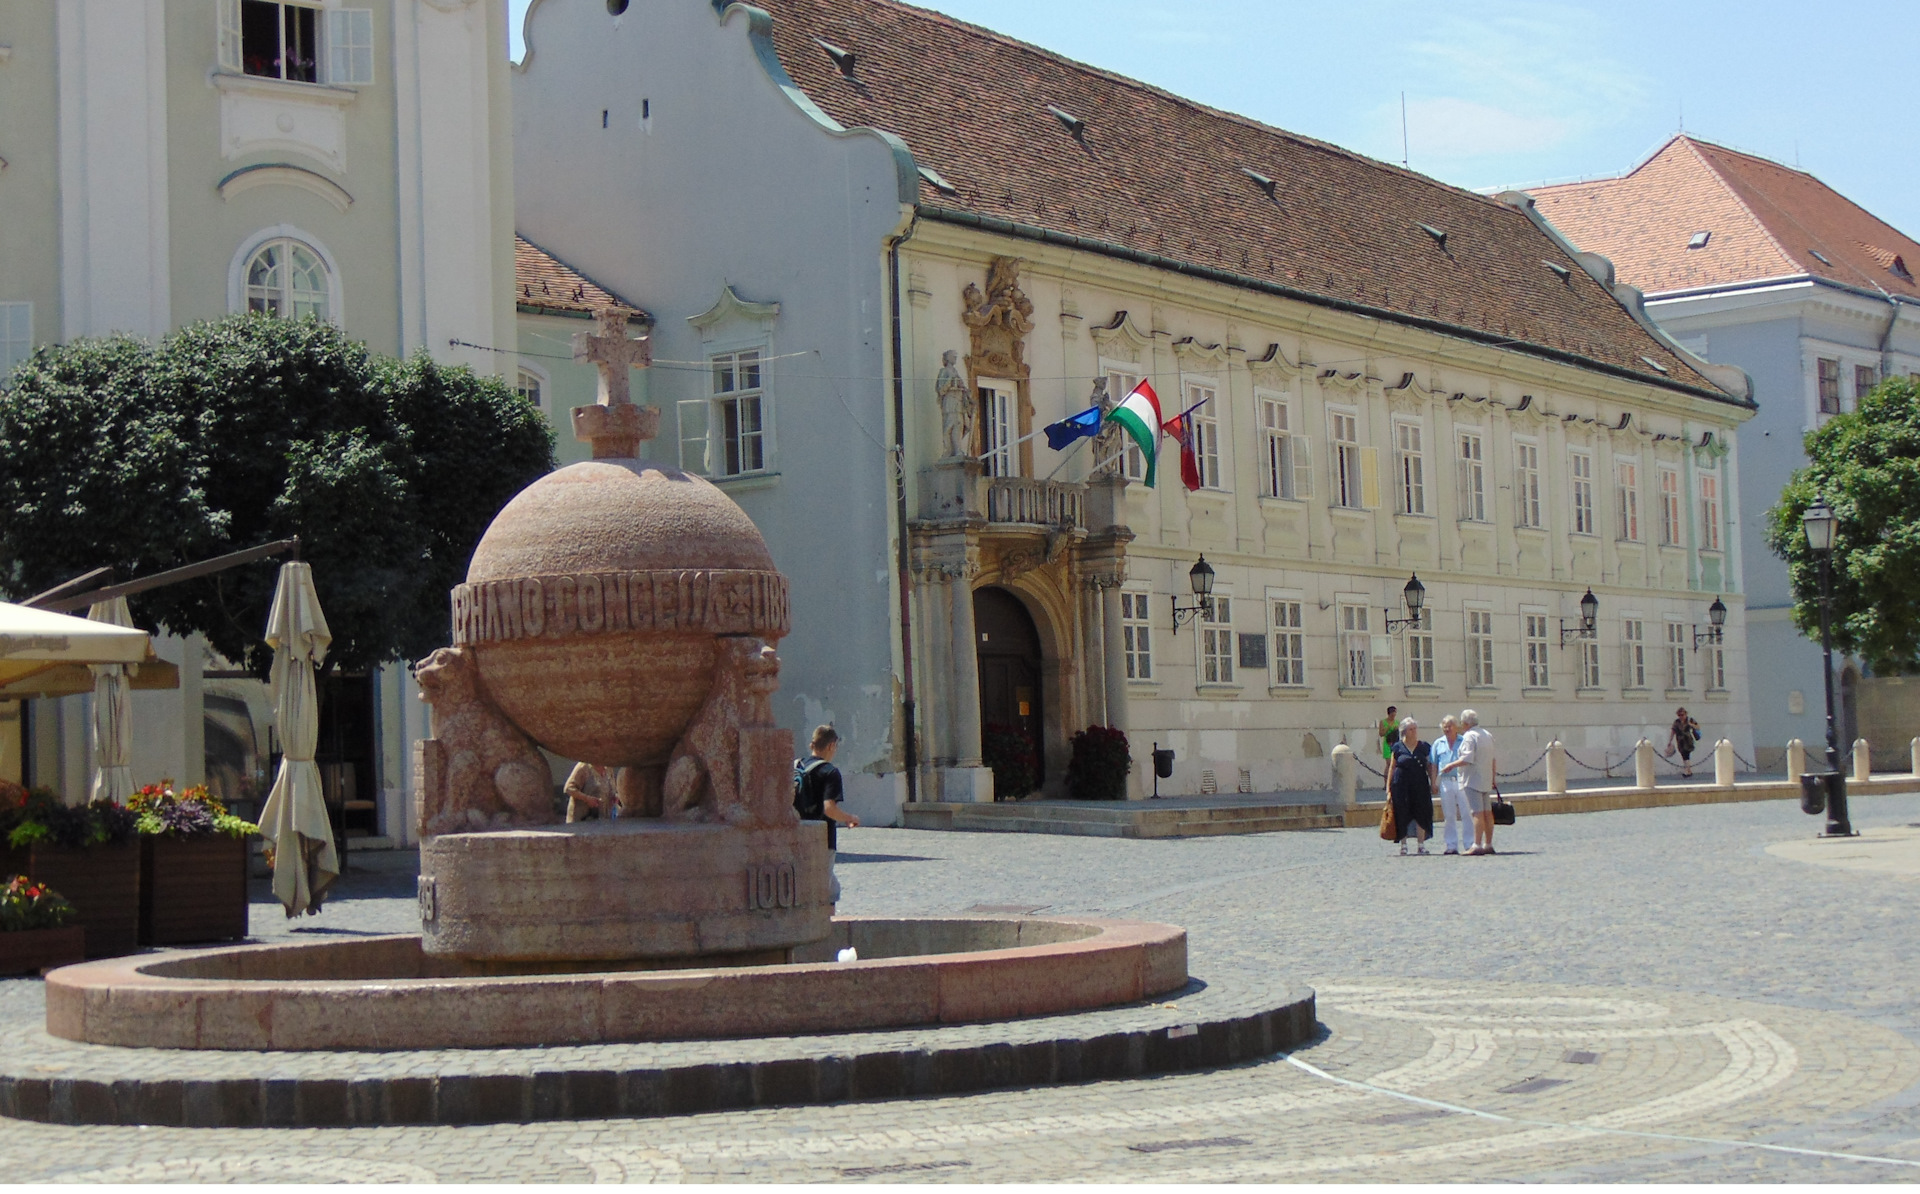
(1764, 222)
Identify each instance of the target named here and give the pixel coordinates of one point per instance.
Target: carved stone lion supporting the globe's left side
(479, 771)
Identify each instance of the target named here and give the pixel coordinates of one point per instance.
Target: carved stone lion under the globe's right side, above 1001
(704, 776)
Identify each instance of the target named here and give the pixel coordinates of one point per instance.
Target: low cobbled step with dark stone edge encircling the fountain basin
(1203, 1028)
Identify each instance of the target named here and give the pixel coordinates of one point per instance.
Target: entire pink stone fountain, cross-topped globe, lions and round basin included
(621, 613)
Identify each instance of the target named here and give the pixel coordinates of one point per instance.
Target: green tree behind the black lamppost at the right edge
(1867, 467)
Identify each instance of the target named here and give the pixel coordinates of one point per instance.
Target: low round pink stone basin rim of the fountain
(383, 993)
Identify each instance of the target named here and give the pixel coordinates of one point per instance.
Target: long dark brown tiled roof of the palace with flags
(1034, 139)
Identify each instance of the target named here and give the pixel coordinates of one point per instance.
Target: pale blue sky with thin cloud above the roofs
(1514, 95)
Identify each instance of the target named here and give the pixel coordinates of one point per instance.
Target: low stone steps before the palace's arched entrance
(1120, 819)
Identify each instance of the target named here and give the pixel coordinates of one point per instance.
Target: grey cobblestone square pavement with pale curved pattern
(1639, 995)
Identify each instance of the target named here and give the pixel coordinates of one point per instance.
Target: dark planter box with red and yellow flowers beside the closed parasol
(193, 871)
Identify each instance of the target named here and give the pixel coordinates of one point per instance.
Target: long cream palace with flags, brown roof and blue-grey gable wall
(844, 212)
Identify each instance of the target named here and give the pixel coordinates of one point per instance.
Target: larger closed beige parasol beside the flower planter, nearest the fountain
(295, 819)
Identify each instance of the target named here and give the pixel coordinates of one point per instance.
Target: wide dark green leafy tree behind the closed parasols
(235, 433)
